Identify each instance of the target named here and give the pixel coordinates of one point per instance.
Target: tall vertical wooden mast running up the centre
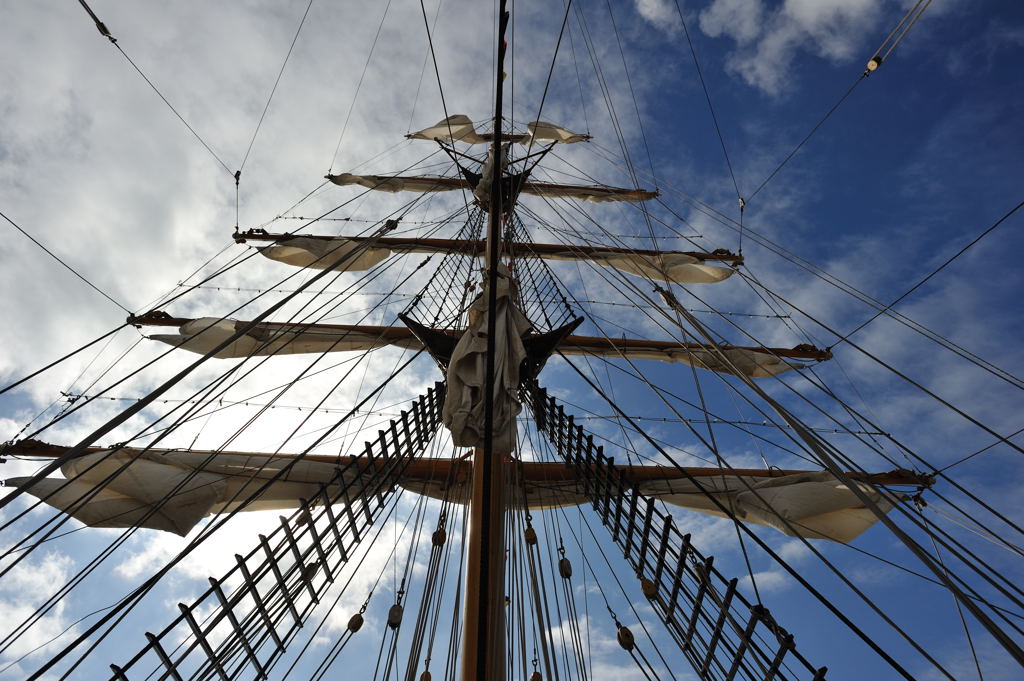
(484, 624)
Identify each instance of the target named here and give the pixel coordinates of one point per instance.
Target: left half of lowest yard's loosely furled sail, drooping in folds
(174, 491)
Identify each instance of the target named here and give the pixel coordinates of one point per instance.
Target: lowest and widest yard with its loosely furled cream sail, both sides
(173, 490)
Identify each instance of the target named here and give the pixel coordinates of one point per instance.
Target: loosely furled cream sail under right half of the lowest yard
(816, 505)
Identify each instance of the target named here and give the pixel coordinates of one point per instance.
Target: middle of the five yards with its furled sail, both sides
(323, 252)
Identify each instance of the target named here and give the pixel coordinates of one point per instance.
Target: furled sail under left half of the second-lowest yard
(204, 334)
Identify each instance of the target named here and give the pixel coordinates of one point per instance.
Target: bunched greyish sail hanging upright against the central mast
(464, 404)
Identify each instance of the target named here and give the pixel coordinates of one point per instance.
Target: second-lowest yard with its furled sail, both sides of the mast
(271, 338)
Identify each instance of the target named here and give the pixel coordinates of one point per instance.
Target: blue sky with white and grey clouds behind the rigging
(922, 158)
